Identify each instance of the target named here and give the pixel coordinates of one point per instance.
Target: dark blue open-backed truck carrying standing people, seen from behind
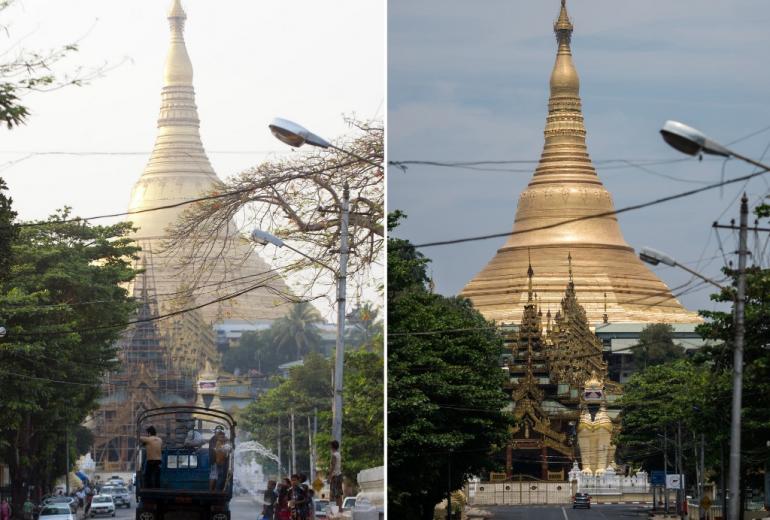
(185, 491)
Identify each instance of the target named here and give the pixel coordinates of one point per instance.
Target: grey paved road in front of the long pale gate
(597, 512)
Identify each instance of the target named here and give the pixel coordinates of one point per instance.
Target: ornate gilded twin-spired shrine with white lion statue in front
(562, 402)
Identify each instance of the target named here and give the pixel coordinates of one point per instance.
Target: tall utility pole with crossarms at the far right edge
(735, 427)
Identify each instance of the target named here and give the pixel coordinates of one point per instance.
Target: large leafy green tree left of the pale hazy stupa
(64, 305)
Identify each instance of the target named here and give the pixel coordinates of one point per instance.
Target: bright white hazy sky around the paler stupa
(308, 61)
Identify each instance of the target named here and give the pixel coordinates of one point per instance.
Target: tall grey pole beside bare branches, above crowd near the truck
(342, 276)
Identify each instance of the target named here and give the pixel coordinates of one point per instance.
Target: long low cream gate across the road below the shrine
(518, 493)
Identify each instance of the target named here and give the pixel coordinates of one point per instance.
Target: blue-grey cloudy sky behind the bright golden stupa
(469, 81)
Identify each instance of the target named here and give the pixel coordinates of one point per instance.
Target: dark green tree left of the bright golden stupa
(445, 396)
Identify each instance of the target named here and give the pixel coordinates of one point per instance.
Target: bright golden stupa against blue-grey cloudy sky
(608, 276)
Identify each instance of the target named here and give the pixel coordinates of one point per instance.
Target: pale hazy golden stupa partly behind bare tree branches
(179, 170)
